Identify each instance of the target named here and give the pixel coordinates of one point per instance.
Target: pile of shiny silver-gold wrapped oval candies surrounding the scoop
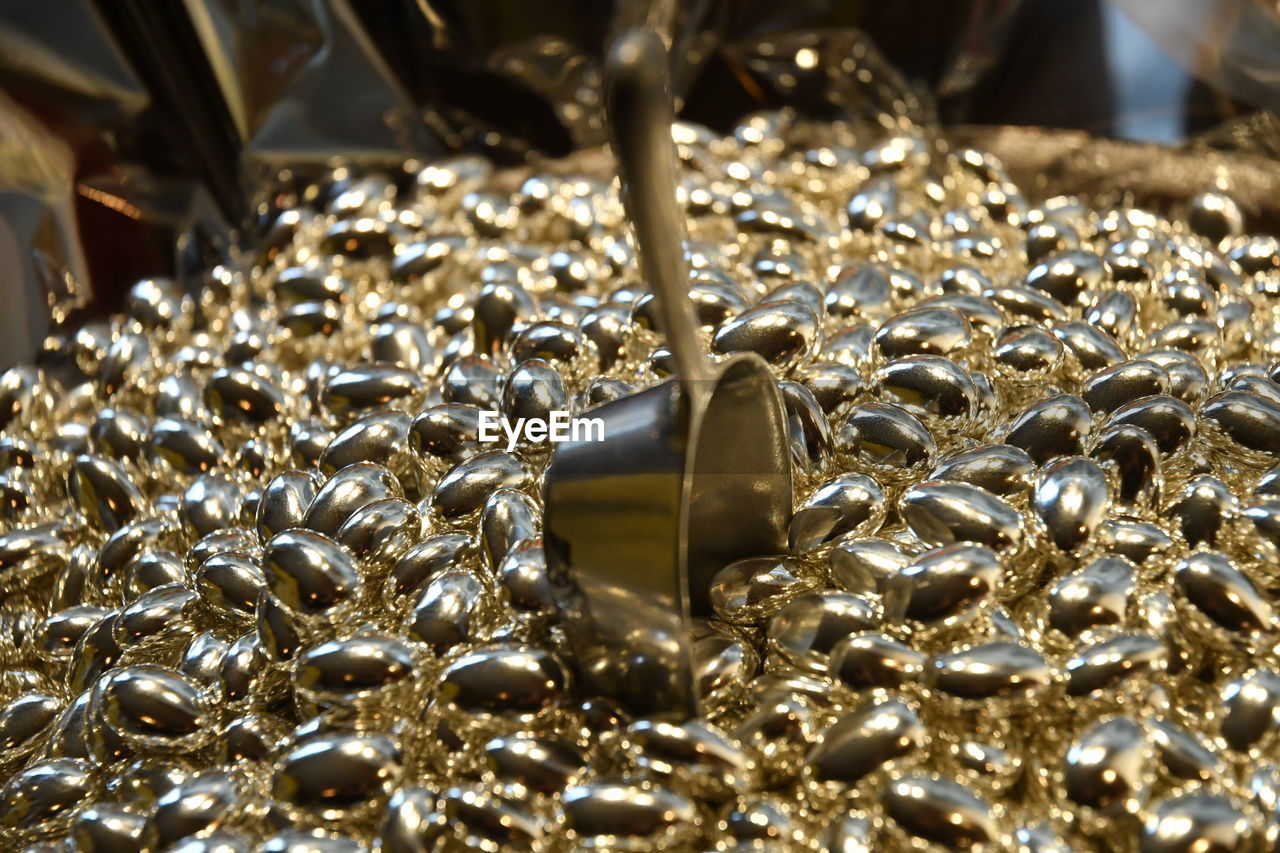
(263, 589)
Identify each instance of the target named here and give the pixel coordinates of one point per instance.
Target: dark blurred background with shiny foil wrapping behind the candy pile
(141, 138)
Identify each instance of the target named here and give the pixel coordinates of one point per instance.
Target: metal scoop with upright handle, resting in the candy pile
(692, 475)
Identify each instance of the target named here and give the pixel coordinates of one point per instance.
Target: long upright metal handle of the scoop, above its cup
(638, 101)
